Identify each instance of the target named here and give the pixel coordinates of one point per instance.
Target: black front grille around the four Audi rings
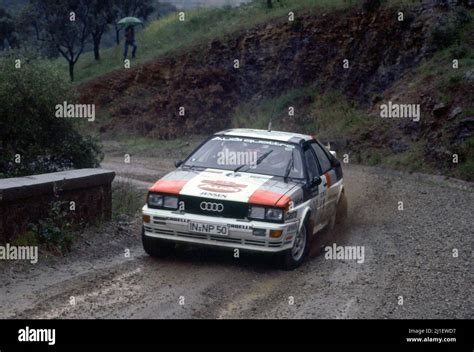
(234, 210)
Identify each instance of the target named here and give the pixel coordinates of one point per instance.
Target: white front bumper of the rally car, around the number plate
(174, 226)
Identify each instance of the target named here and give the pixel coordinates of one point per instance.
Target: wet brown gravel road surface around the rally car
(421, 255)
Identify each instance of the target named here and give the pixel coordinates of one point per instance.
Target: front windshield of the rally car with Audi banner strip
(248, 155)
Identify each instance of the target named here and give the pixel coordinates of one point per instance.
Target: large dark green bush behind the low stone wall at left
(32, 139)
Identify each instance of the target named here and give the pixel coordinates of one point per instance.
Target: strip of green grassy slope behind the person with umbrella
(166, 35)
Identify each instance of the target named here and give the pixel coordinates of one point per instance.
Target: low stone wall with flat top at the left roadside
(25, 200)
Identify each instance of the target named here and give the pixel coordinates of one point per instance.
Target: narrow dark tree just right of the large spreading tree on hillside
(103, 13)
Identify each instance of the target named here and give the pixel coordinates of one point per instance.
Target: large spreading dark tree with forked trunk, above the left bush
(65, 24)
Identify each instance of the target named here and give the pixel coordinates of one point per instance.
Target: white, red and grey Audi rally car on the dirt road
(257, 190)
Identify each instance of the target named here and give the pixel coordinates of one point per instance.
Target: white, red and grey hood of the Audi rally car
(227, 185)
